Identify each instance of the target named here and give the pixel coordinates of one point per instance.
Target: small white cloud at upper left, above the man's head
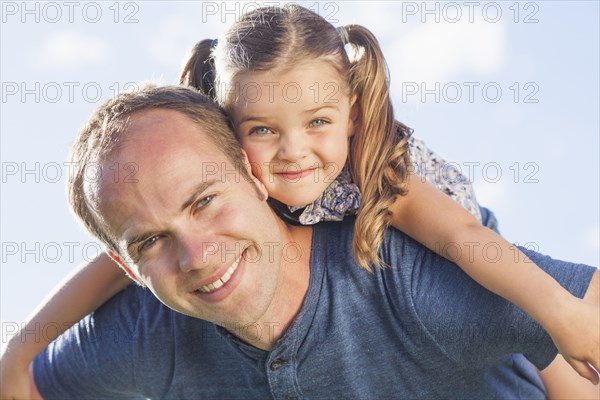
(71, 50)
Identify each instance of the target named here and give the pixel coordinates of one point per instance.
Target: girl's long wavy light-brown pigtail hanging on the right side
(378, 148)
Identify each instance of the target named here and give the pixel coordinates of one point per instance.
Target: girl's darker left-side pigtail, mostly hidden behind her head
(199, 69)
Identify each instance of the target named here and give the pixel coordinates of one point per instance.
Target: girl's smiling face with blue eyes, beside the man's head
(294, 125)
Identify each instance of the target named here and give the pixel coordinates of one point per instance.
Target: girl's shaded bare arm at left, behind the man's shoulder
(80, 293)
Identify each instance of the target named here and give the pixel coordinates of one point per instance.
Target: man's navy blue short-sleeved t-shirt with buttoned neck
(418, 329)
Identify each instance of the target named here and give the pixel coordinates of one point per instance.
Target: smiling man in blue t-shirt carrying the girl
(265, 309)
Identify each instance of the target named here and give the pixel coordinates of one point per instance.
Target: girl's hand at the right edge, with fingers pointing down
(576, 334)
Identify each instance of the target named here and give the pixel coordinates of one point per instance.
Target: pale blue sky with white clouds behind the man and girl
(509, 91)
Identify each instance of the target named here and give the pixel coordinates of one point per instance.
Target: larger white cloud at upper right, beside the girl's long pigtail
(437, 52)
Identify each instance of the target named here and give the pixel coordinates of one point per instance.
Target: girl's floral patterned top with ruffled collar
(342, 197)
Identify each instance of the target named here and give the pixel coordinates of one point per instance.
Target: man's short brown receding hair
(104, 131)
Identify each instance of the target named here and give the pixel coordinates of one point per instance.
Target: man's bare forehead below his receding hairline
(162, 157)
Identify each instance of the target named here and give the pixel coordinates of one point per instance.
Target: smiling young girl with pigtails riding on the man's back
(320, 133)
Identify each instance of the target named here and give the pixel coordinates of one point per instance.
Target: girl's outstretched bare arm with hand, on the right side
(435, 220)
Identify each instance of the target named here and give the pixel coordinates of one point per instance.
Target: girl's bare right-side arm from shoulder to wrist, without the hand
(435, 220)
